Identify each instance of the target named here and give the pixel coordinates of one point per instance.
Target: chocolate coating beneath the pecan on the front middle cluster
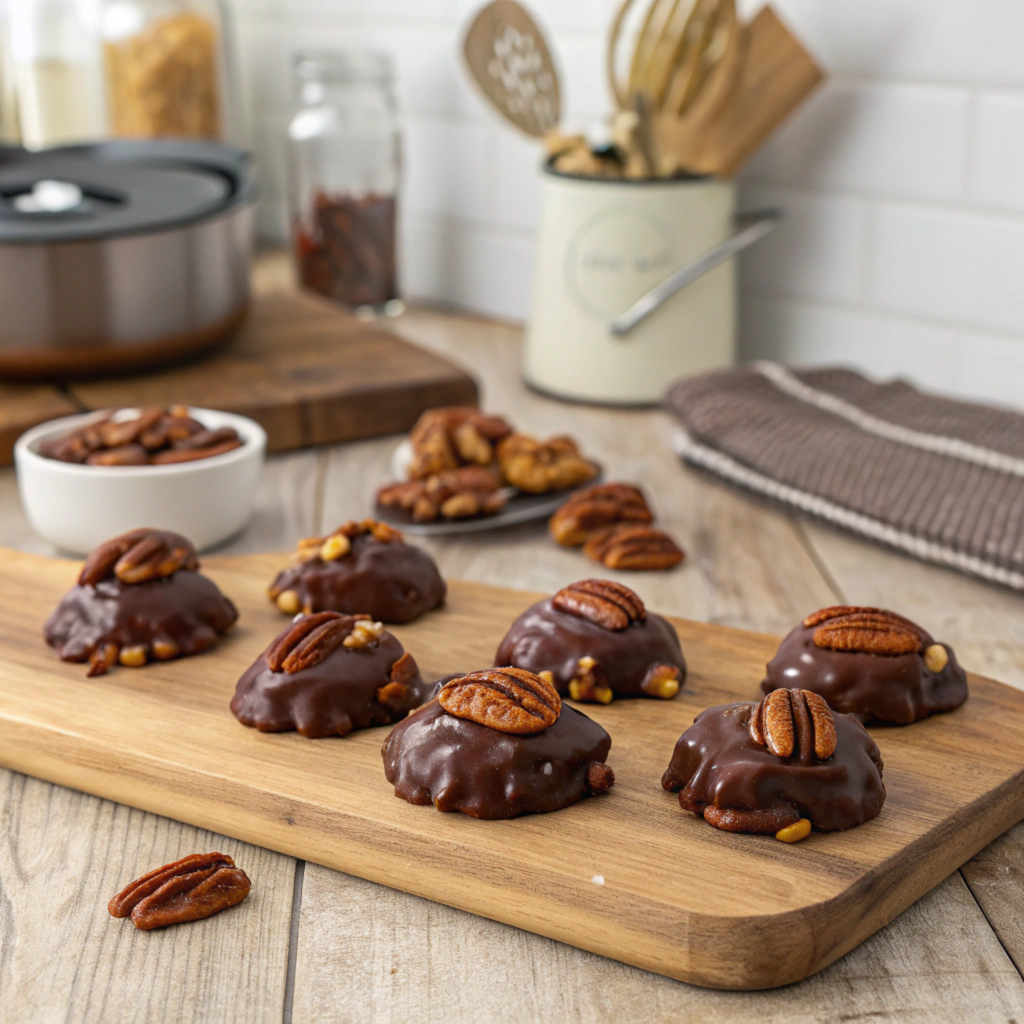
(458, 765)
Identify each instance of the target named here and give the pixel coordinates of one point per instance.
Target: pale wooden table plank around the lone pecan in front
(64, 959)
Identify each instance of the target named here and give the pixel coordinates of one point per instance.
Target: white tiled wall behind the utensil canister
(903, 180)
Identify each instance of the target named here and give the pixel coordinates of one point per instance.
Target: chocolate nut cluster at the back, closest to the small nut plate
(392, 582)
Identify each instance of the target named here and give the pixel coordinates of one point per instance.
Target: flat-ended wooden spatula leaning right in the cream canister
(777, 74)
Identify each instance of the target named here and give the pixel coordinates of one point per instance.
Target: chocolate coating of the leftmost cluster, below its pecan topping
(185, 609)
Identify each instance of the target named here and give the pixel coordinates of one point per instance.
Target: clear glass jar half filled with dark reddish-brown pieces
(345, 164)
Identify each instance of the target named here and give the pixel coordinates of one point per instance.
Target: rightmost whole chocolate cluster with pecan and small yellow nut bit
(870, 663)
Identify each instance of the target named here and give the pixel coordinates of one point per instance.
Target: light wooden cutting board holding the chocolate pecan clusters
(629, 876)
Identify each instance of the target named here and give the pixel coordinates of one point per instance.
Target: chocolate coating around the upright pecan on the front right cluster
(716, 762)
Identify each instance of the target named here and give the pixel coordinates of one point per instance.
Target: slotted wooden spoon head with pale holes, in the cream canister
(511, 63)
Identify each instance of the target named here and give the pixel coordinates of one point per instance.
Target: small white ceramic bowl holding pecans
(78, 507)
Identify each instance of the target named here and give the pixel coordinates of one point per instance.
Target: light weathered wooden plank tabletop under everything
(312, 945)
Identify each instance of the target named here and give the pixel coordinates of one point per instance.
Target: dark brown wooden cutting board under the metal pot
(306, 371)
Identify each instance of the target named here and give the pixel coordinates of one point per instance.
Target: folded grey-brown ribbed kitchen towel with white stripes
(935, 478)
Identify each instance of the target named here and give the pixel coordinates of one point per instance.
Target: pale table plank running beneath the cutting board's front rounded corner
(371, 955)
